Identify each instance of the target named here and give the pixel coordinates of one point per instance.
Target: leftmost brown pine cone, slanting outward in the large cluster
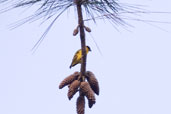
(69, 80)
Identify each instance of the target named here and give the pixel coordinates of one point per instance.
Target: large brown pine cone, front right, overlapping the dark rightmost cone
(88, 92)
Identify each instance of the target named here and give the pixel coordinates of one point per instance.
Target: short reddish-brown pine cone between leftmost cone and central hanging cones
(73, 88)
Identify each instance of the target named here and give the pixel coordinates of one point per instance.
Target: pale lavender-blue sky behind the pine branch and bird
(134, 69)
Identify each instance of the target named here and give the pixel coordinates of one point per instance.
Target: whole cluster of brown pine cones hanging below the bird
(86, 88)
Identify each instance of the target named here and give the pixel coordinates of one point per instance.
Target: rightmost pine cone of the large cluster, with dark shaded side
(93, 82)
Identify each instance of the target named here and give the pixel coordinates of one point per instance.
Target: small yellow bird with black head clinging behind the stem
(78, 56)
